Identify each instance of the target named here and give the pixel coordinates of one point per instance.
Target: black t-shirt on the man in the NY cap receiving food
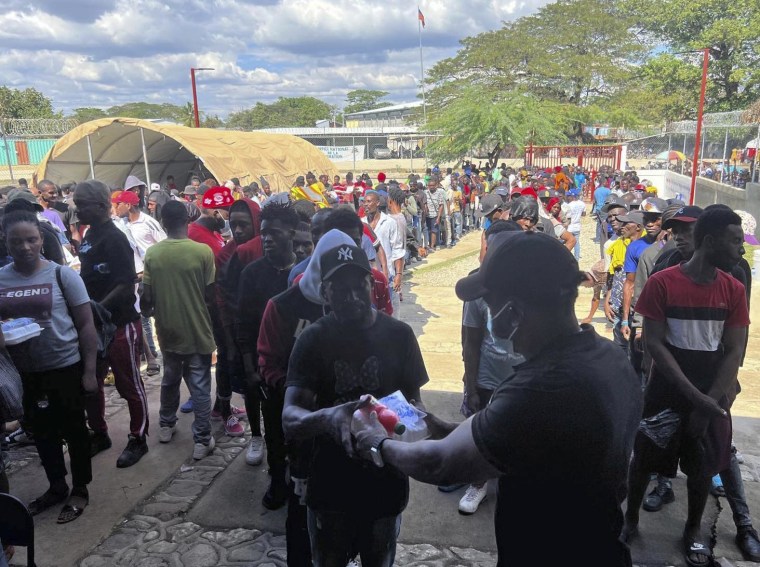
(339, 365)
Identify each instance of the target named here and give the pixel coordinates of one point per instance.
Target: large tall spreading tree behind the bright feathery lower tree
(571, 51)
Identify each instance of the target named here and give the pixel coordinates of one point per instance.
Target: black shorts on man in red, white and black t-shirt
(706, 456)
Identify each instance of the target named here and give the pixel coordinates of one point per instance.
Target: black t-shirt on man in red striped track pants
(108, 261)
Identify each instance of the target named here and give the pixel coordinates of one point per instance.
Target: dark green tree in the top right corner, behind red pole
(731, 31)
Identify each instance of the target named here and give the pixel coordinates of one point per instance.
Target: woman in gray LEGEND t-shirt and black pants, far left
(58, 366)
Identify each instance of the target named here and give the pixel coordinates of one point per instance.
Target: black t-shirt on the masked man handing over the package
(561, 431)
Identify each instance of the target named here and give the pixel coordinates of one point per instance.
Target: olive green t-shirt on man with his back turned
(178, 272)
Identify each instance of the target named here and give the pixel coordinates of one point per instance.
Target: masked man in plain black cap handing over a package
(557, 435)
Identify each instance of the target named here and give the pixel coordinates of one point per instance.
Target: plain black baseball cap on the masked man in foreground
(530, 265)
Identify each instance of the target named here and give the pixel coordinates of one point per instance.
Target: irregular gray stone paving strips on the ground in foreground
(156, 534)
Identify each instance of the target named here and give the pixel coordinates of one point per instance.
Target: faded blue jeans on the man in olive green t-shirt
(196, 370)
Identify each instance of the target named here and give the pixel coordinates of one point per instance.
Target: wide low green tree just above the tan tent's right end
(292, 112)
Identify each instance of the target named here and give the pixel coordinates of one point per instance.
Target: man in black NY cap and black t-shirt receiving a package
(352, 507)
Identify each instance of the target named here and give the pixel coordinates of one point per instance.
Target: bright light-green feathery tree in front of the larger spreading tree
(477, 121)
